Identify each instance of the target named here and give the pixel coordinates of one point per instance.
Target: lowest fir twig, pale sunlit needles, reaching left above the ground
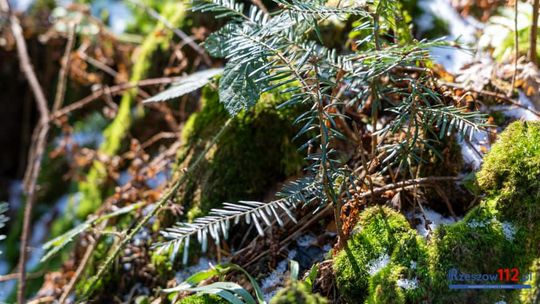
(216, 225)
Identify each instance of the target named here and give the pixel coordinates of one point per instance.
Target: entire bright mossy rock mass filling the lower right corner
(502, 232)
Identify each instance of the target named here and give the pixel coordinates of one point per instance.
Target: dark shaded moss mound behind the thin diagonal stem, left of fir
(252, 156)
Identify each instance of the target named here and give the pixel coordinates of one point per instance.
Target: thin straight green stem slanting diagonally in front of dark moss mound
(158, 206)
